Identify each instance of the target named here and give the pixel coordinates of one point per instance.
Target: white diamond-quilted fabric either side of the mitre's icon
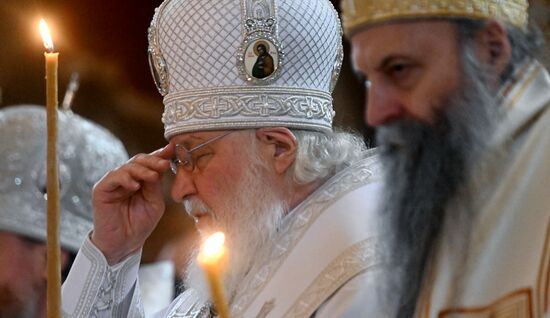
(209, 57)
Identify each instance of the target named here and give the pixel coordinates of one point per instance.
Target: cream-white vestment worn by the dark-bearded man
(506, 269)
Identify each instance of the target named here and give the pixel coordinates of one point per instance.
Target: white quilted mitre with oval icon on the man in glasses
(232, 64)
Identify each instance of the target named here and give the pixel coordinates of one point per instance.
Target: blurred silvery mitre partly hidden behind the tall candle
(86, 152)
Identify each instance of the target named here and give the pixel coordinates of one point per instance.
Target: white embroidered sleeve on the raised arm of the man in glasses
(95, 289)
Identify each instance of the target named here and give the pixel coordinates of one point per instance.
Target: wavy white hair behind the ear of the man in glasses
(321, 155)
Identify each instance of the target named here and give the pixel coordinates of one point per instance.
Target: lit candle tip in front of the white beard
(211, 258)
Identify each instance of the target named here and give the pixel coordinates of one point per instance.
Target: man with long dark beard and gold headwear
(461, 106)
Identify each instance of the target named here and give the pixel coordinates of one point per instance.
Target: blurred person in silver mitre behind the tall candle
(86, 152)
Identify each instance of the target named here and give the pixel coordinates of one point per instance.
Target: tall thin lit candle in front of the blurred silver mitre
(53, 249)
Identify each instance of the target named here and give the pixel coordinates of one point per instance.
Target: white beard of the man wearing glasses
(249, 220)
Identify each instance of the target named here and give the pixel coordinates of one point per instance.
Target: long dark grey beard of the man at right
(426, 167)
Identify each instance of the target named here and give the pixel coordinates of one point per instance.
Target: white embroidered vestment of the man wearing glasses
(323, 262)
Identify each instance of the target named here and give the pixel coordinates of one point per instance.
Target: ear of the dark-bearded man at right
(493, 46)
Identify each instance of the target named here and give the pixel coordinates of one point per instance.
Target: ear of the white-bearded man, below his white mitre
(281, 148)
